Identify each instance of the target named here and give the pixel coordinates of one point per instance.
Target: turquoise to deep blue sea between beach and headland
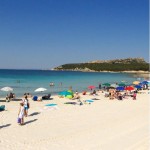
(27, 81)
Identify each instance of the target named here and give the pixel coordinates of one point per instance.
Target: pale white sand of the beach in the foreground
(103, 125)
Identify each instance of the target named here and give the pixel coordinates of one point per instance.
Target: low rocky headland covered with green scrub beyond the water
(128, 64)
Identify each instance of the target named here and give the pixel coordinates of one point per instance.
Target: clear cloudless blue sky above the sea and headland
(43, 34)
